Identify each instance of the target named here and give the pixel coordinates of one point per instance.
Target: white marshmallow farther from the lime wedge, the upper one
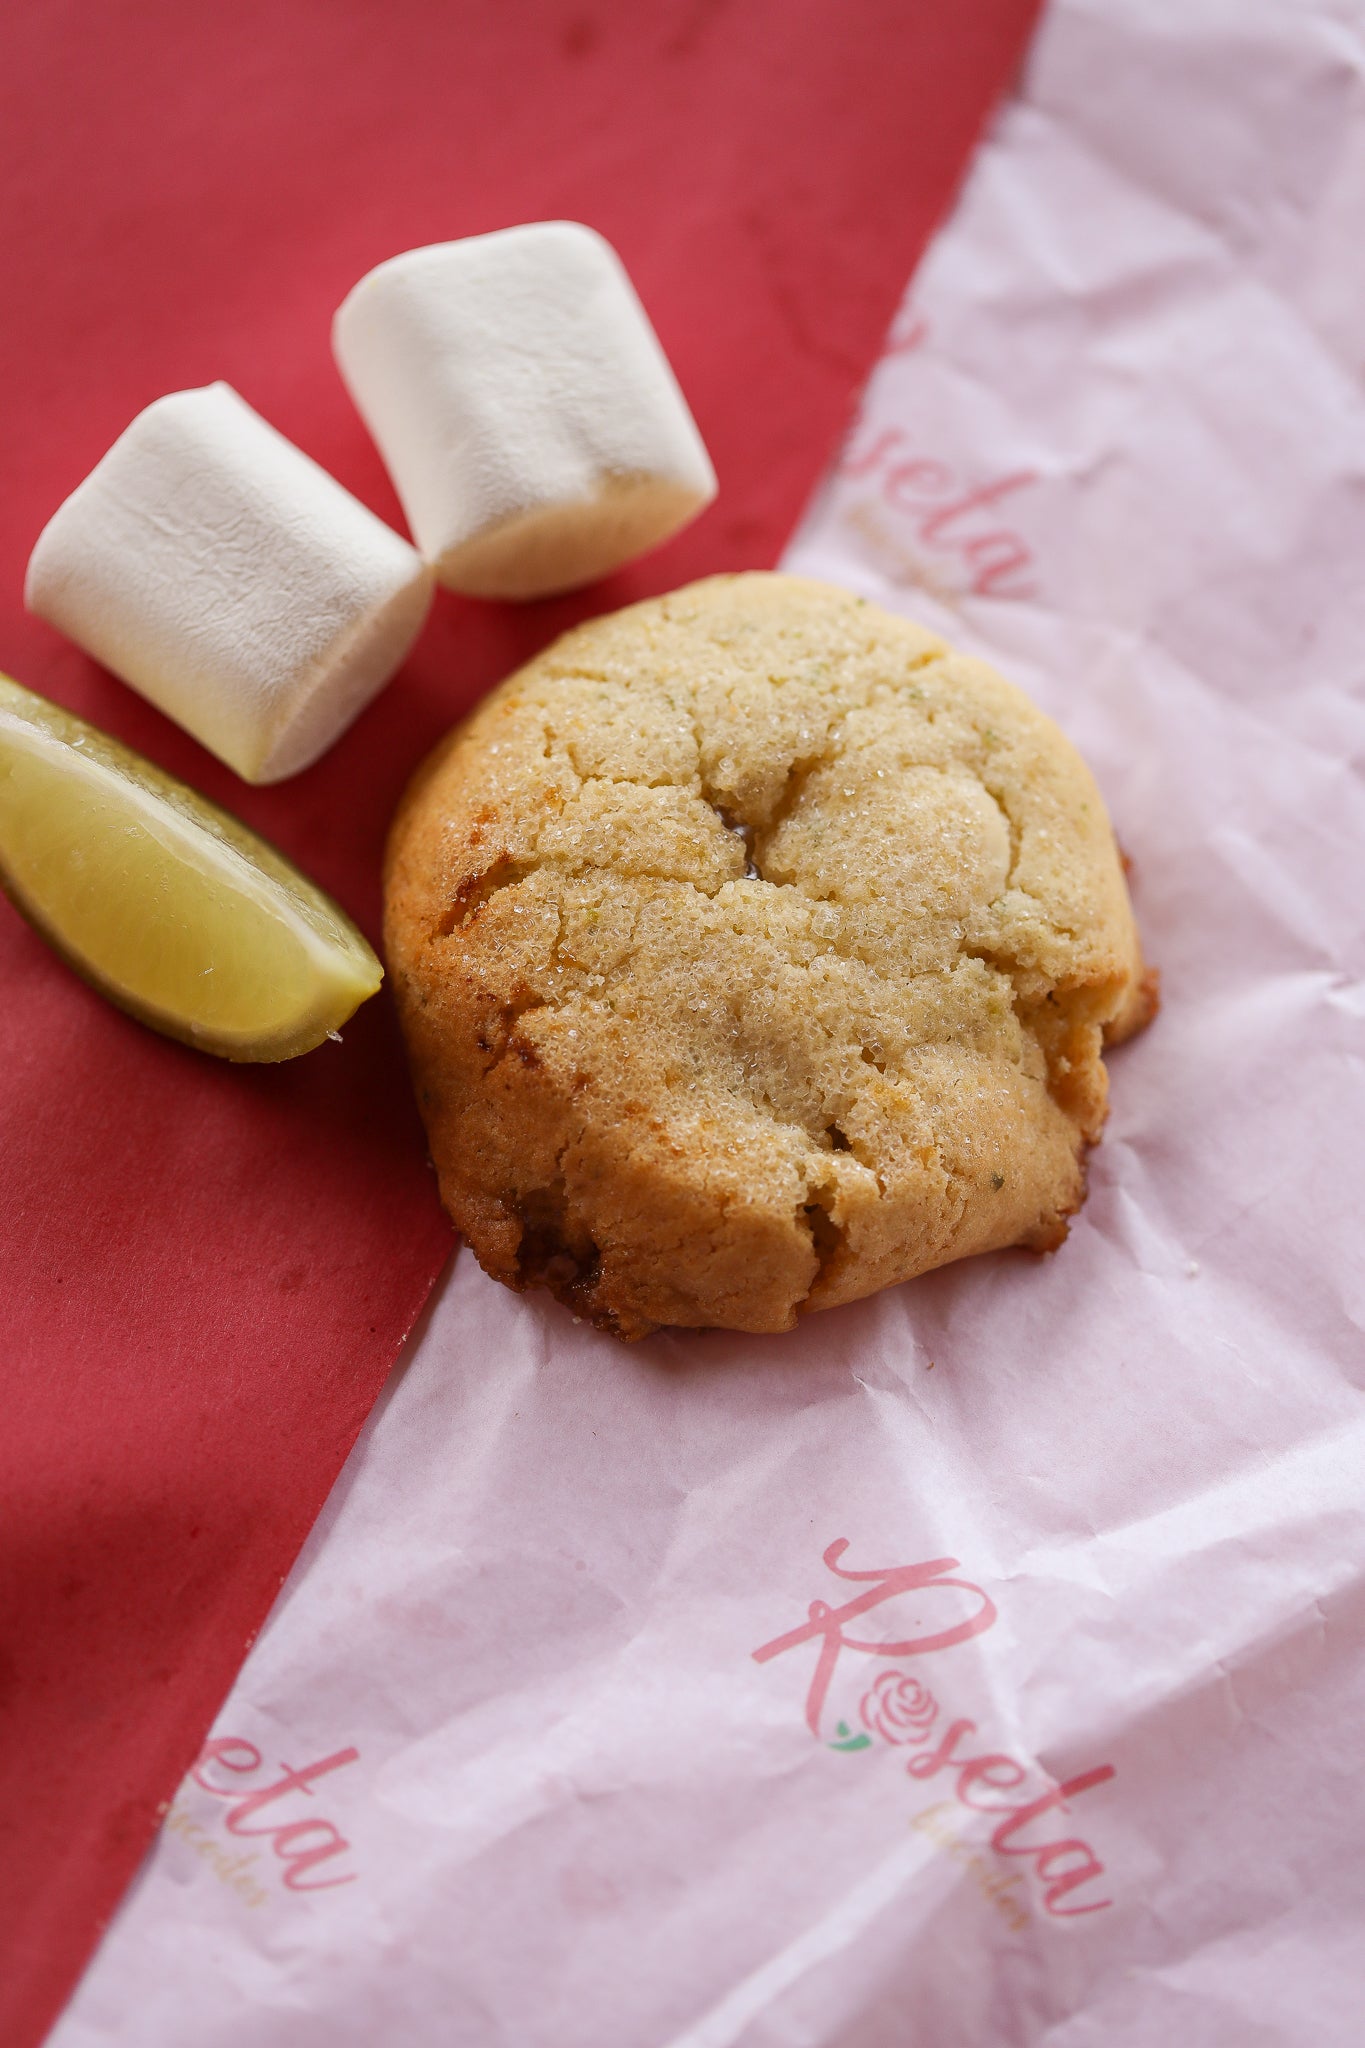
(525, 409)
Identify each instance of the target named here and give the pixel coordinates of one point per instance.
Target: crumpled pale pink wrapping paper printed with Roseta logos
(981, 1664)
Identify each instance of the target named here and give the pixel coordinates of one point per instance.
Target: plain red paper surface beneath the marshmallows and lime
(206, 1273)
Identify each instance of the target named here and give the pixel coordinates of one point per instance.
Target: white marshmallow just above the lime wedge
(232, 581)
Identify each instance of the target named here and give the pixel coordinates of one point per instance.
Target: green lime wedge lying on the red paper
(163, 902)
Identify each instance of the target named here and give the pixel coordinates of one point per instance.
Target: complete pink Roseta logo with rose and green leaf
(930, 1611)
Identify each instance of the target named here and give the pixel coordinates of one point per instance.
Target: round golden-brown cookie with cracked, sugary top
(754, 953)
